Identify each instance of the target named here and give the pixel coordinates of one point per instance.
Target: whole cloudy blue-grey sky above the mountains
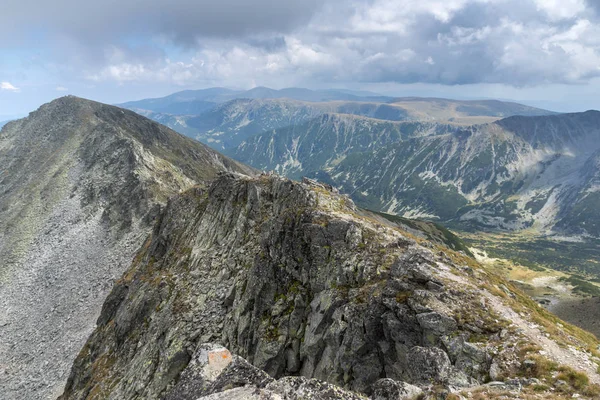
(540, 52)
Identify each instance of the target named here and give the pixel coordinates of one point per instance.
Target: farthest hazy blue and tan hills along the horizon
(223, 118)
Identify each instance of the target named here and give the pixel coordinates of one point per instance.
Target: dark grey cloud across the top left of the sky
(181, 20)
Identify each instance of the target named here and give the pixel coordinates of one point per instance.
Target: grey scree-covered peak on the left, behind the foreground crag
(80, 187)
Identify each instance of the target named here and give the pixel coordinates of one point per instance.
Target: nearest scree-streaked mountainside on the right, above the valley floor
(517, 173)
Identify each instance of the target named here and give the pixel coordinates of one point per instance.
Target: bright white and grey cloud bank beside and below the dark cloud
(514, 42)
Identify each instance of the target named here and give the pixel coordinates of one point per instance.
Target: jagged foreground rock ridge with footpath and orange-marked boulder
(266, 288)
